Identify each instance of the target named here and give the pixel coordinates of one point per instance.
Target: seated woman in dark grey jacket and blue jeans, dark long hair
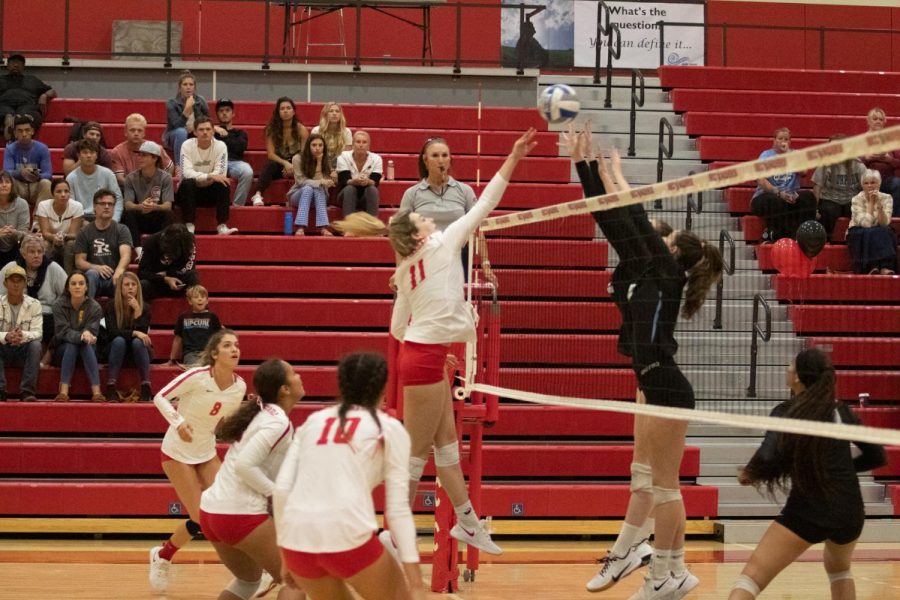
(76, 323)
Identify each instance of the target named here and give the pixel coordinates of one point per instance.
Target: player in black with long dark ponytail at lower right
(824, 503)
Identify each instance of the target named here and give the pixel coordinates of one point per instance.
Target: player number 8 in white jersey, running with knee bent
(206, 395)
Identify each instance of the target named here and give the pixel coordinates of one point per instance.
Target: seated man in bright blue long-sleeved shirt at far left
(28, 160)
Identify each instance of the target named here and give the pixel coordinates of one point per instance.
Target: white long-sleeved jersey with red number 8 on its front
(202, 405)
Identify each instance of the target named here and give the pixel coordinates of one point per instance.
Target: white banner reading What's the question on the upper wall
(637, 22)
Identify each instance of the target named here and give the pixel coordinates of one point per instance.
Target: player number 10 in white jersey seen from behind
(324, 513)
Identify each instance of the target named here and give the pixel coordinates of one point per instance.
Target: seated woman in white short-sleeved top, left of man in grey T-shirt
(59, 220)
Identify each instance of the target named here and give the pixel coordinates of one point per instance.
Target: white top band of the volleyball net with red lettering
(798, 160)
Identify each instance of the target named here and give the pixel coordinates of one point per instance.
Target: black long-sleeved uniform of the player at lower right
(838, 515)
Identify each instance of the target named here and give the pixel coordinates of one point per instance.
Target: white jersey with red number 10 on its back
(323, 494)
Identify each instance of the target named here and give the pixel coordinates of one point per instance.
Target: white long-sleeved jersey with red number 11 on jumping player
(431, 307)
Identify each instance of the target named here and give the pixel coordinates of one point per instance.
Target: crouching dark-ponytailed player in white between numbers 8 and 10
(234, 510)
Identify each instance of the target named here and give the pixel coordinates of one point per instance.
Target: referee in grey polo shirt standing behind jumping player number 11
(438, 195)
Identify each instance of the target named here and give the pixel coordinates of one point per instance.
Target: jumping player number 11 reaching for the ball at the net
(429, 314)
